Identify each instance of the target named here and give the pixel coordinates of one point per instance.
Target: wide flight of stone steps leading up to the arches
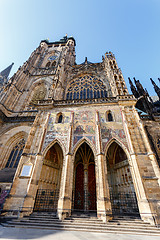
(84, 223)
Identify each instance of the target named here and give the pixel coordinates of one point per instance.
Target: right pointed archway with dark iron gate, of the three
(122, 193)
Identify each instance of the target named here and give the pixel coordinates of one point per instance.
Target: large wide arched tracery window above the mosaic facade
(86, 87)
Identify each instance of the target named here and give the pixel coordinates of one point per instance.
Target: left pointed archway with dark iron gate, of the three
(49, 182)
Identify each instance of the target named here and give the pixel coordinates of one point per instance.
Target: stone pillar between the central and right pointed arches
(104, 211)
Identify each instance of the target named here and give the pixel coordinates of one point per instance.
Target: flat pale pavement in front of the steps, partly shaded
(22, 233)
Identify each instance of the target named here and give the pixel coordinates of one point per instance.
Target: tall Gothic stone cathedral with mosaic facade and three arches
(73, 139)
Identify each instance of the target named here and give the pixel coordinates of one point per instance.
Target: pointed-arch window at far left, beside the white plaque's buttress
(15, 155)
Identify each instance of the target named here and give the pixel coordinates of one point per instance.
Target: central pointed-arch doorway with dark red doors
(84, 189)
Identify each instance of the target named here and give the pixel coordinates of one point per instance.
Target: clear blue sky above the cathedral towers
(128, 28)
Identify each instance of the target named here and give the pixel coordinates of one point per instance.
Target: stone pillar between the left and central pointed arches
(65, 199)
